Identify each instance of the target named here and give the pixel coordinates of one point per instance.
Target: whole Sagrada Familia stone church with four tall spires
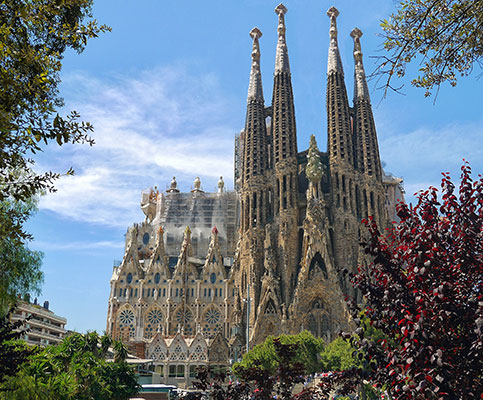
(207, 272)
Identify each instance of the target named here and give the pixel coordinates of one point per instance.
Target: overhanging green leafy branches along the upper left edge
(34, 34)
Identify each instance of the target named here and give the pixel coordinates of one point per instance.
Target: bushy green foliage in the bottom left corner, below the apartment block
(81, 367)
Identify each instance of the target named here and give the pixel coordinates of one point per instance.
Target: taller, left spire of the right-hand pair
(340, 145)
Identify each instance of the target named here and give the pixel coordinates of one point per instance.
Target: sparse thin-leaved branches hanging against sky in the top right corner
(444, 36)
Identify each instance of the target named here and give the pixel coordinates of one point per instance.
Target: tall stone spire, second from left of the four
(283, 122)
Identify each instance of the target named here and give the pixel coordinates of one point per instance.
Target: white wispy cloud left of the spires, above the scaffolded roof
(160, 124)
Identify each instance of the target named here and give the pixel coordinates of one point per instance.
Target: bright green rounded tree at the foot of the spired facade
(264, 355)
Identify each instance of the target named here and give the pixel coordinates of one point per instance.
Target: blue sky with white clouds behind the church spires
(166, 92)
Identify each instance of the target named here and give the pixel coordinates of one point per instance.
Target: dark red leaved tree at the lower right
(424, 291)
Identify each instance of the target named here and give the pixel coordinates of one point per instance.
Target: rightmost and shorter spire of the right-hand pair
(367, 149)
